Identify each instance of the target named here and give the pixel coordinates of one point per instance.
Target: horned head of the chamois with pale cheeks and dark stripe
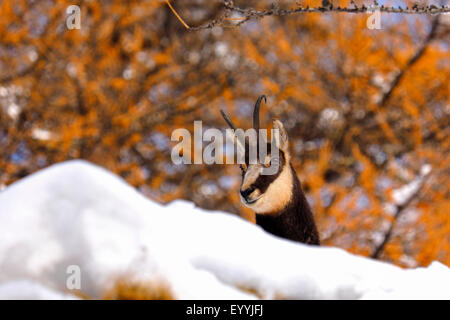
(265, 194)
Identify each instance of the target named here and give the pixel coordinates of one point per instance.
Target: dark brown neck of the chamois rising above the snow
(295, 221)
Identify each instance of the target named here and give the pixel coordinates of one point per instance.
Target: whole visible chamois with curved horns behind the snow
(277, 199)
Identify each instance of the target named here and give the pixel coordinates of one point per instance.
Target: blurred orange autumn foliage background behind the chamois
(367, 111)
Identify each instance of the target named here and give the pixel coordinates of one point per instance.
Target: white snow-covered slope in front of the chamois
(77, 214)
